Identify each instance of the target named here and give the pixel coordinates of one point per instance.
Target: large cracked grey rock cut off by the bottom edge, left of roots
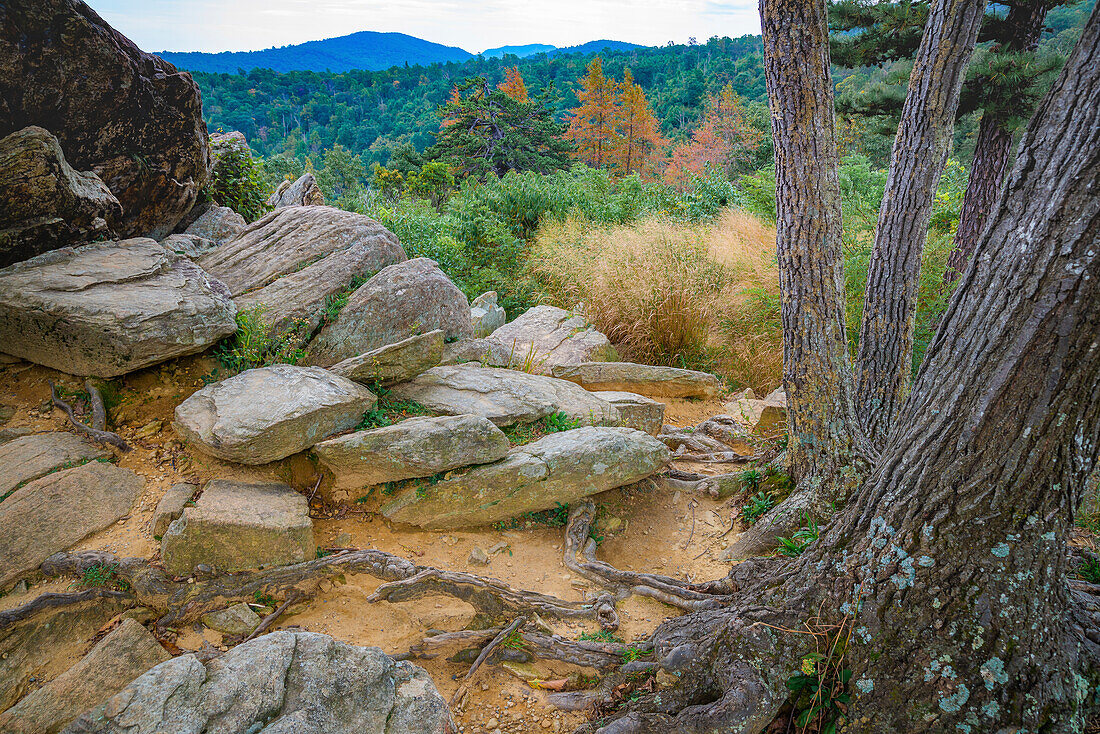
(287, 682)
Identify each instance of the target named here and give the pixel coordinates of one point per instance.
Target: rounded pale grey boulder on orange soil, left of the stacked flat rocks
(270, 413)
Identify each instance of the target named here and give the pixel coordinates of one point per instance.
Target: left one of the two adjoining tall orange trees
(593, 125)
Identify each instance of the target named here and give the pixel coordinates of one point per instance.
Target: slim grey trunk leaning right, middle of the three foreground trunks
(920, 152)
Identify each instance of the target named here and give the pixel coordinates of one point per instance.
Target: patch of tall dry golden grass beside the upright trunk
(703, 297)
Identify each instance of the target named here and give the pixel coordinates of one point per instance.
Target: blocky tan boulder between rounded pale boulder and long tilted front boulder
(415, 447)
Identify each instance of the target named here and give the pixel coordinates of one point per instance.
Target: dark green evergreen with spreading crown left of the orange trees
(494, 134)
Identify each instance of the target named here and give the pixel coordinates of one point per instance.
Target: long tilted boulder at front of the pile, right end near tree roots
(559, 468)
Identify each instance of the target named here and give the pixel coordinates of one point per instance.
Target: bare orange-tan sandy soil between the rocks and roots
(652, 530)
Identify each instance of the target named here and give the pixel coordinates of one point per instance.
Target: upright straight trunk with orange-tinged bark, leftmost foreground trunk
(828, 455)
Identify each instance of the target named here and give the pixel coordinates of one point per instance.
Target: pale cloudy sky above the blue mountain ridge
(216, 26)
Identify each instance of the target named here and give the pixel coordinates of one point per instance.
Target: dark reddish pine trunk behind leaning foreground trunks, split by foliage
(993, 148)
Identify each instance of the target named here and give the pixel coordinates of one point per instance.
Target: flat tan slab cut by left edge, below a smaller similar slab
(60, 510)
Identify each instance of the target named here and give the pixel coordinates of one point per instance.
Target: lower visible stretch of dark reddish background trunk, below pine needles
(987, 172)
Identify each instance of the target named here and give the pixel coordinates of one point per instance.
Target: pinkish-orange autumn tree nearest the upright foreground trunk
(724, 140)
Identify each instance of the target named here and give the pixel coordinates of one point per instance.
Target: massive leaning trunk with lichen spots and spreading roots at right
(949, 567)
